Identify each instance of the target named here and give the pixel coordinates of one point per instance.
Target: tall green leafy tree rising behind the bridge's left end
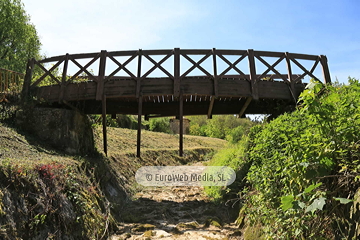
(18, 37)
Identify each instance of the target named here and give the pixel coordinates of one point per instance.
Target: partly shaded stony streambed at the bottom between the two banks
(177, 213)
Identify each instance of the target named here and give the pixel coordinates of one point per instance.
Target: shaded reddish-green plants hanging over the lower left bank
(63, 200)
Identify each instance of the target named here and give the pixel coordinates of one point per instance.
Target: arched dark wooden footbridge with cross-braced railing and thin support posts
(175, 82)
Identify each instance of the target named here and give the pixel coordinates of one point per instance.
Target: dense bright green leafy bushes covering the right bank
(305, 164)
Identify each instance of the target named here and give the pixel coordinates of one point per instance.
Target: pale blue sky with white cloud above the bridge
(313, 27)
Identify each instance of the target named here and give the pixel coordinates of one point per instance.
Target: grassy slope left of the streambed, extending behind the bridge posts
(45, 193)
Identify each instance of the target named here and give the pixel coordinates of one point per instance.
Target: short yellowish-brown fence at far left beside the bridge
(10, 81)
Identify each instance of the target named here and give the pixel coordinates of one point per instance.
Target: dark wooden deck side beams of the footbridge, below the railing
(158, 98)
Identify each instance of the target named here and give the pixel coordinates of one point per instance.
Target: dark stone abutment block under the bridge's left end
(64, 129)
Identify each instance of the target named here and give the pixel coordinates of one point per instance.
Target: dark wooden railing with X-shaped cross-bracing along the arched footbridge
(176, 64)
